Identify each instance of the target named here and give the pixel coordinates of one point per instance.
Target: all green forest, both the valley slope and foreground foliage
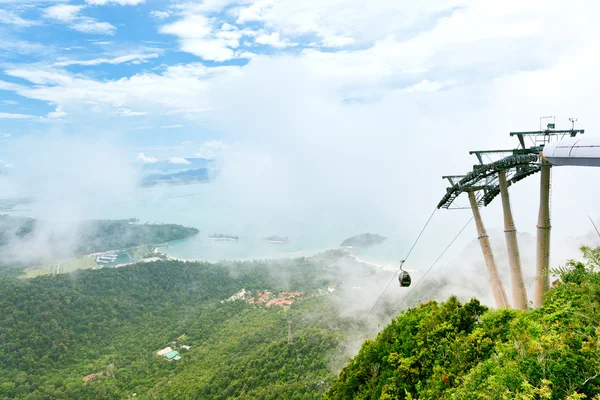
(94, 334)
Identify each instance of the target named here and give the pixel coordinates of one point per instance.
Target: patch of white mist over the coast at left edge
(67, 178)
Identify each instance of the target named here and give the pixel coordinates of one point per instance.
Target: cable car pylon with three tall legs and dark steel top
(486, 181)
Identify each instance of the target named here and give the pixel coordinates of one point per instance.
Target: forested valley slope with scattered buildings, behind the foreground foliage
(94, 333)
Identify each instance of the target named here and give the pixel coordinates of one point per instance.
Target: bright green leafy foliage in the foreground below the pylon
(456, 351)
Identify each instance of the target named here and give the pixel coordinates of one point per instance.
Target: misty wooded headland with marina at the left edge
(28, 243)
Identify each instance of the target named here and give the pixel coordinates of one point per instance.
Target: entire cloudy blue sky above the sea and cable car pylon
(350, 99)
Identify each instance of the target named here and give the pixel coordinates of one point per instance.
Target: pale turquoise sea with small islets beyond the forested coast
(211, 210)
